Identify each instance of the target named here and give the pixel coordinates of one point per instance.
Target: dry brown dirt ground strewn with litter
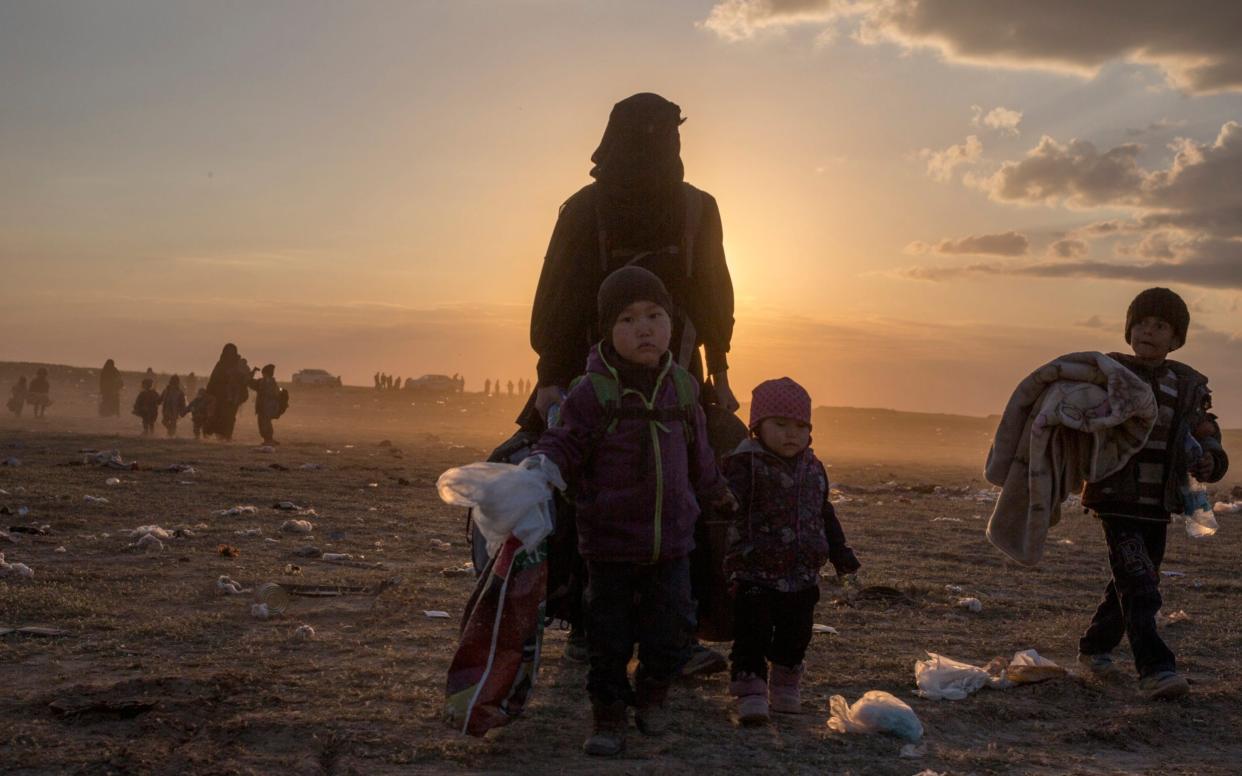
(160, 674)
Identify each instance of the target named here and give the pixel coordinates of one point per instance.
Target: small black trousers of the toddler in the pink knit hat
(769, 625)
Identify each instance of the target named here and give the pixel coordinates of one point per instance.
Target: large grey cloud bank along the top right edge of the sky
(1194, 45)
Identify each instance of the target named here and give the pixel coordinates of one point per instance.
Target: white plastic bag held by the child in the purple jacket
(506, 499)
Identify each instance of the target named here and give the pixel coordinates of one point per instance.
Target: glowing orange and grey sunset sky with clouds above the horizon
(923, 201)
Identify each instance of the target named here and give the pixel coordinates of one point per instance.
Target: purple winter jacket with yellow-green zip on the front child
(635, 486)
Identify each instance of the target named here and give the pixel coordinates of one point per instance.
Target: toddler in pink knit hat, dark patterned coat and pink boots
(784, 532)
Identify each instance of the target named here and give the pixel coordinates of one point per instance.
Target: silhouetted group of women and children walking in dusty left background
(213, 410)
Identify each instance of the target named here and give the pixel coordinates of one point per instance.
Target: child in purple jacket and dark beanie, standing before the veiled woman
(637, 456)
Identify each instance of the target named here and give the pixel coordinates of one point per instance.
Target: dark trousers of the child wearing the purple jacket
(644, 604)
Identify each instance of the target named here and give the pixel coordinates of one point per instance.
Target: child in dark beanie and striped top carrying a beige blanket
(1135, 505)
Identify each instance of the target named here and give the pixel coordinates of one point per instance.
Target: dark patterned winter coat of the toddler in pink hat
(786, 527)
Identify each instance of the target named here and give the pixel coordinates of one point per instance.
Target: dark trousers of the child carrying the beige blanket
(1136, 549)
